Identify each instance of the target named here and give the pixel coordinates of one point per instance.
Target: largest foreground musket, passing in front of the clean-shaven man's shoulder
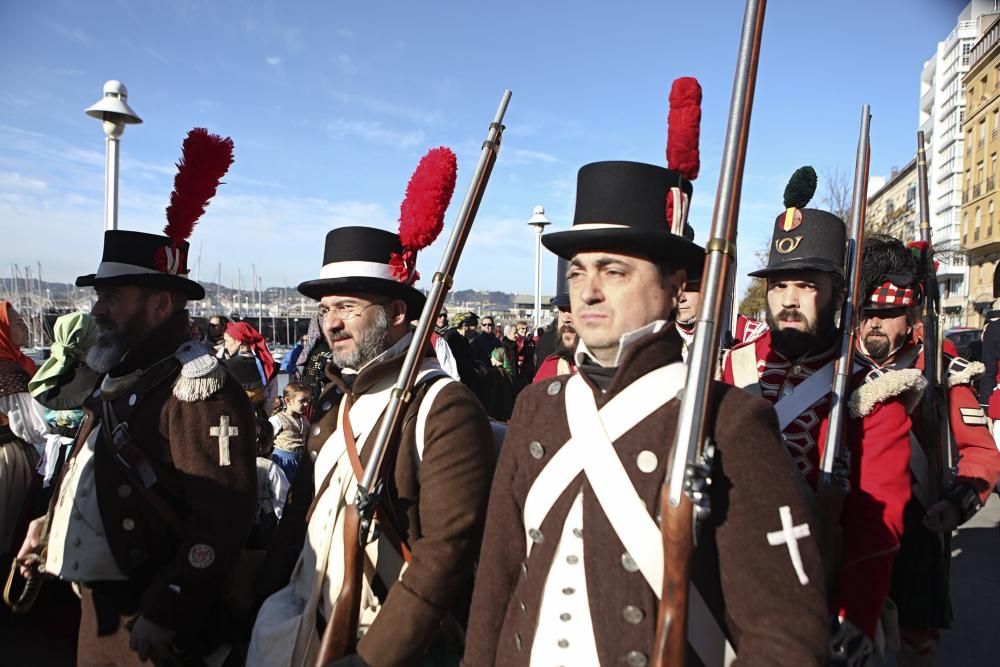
(683, 500)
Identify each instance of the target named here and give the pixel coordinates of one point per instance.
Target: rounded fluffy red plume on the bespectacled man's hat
(421, 216)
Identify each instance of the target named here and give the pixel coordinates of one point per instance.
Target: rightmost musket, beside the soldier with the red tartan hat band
(935, 400)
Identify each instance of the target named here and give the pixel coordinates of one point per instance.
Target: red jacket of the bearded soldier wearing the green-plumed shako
(877, 439)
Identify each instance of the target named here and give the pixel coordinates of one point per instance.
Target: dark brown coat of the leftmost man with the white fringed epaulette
(215, 503)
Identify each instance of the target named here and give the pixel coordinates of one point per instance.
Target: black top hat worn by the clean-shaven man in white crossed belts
(622, 207)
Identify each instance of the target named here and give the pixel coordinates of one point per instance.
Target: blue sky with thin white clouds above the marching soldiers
(331, 105)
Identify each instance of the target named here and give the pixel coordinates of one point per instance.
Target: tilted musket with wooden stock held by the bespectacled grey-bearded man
(341, 633)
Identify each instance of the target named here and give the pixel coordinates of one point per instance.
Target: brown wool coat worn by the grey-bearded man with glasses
(439, 504)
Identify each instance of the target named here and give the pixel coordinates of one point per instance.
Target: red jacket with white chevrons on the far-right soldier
(979, 459)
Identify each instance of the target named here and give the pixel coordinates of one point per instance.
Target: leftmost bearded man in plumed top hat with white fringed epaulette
(158, 495)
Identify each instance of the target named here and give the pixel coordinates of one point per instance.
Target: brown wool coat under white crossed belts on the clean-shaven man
(750, 586)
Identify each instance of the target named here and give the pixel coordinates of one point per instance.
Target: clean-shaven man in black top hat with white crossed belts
(572, 558)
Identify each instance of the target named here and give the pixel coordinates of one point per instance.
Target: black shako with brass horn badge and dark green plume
(805, 238)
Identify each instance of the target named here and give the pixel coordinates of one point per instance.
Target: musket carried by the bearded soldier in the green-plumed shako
(834, 467)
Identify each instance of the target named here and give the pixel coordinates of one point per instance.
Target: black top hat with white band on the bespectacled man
(361, 259)
